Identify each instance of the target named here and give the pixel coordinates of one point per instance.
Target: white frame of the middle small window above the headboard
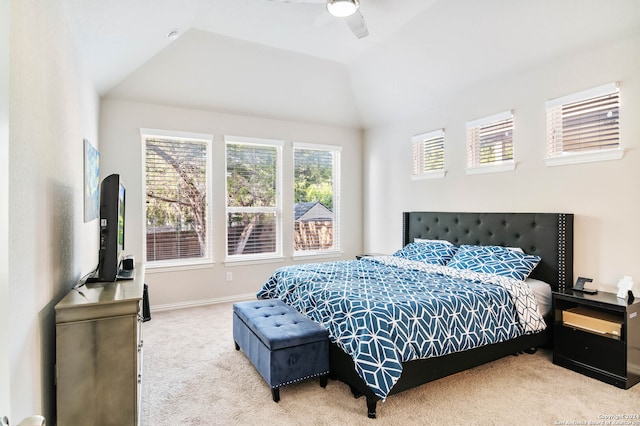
(473, 165)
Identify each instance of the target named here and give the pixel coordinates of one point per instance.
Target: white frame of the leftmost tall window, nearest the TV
(180, 263)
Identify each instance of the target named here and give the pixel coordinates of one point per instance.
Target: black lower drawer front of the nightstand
(597, 351)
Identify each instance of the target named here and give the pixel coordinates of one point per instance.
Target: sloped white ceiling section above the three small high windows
(463, 43)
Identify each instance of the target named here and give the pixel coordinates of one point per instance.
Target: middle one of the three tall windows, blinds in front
(253, 198)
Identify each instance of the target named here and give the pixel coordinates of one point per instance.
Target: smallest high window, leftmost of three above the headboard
(428, 155)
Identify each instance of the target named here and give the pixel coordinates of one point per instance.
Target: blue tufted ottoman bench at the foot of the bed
(283, 345)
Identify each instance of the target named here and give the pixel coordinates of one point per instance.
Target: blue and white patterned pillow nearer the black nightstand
(495, 260)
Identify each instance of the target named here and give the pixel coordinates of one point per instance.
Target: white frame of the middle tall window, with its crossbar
(277, 255)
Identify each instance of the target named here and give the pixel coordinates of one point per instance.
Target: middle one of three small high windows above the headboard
(490, 144)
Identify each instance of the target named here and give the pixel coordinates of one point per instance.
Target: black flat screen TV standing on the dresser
(112, 215)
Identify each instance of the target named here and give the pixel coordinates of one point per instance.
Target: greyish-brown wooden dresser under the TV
(99, 353)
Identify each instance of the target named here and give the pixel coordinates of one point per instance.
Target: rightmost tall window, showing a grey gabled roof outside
(316, 174)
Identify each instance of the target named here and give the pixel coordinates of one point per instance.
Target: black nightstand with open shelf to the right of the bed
(607, 357)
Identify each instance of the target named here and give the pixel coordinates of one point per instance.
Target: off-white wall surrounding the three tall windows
(120, 123)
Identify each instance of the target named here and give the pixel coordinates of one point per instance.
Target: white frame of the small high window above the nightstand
(553, 157)
